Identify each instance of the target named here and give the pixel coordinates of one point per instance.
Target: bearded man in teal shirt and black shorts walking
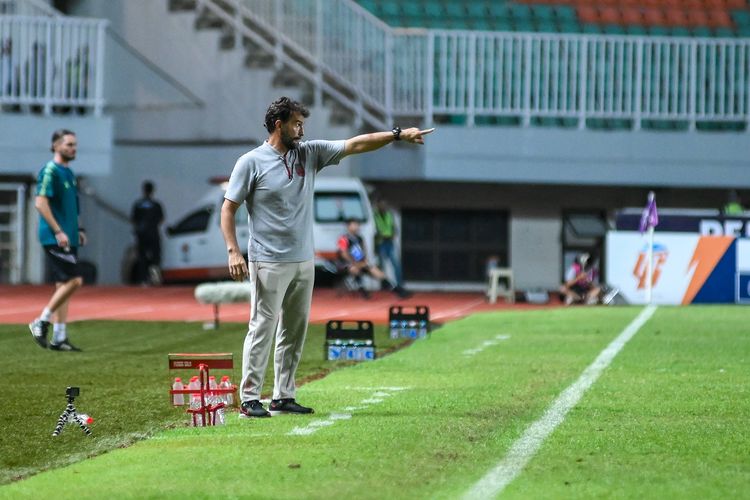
(60, 235)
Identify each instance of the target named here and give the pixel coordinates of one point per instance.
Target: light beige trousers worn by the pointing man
(280, 306)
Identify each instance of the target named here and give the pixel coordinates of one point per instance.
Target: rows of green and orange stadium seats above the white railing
(698, 18)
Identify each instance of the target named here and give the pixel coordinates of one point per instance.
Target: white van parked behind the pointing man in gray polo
(194, 248)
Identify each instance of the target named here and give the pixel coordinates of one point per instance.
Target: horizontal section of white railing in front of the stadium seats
(577, 76)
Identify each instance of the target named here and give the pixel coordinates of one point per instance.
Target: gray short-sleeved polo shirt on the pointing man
(278, 193)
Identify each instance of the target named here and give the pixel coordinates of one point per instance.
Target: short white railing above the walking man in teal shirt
(52, 63)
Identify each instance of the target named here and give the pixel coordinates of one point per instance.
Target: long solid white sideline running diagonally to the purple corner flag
(529, 443)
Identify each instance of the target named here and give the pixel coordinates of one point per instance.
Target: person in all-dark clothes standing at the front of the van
(146, 216)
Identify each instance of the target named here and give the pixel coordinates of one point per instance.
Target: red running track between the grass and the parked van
(22, 303)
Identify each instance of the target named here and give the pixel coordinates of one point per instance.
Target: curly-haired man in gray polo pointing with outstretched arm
(276, 181)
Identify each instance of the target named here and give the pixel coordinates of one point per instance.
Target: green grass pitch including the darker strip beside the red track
(667, 419)
